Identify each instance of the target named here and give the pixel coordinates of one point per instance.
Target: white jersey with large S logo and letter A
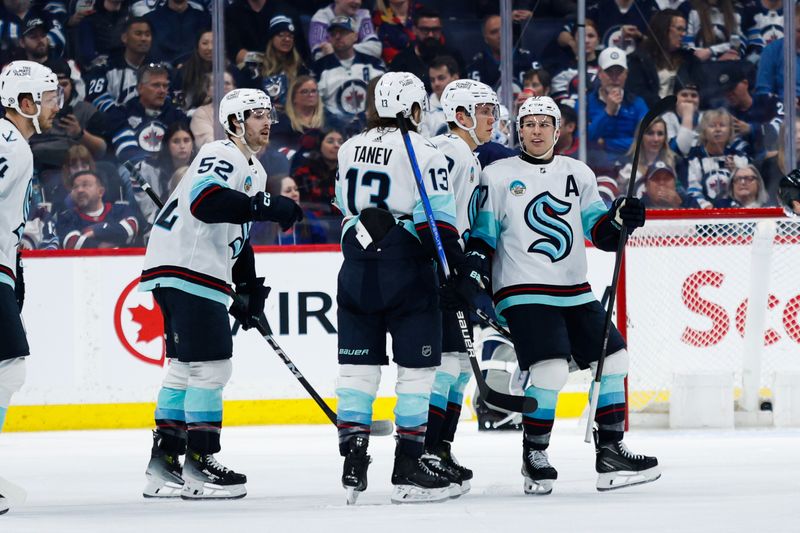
(536, 218)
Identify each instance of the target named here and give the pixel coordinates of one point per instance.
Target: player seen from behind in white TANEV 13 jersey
(388, 284)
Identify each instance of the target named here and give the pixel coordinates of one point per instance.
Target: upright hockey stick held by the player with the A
(660, 107)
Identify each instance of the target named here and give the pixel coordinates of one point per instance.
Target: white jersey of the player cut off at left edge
(16, 173)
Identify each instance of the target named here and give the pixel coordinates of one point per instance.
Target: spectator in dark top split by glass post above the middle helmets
(485, 65)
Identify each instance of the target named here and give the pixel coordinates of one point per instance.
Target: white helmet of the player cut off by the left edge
(27, 77)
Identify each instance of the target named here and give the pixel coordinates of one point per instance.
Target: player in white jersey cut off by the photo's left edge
(29, 92)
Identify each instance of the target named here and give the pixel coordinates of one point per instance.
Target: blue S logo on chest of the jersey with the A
(543, 215)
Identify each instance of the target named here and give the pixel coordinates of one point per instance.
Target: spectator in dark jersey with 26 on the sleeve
(112, 80)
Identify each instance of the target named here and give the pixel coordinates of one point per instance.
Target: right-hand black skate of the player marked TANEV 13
(415, 482)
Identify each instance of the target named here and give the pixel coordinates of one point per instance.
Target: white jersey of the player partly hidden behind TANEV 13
(464, 170)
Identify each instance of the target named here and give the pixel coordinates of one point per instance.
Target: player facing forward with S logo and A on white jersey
(535, 211)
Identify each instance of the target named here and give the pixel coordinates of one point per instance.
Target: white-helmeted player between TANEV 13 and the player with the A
(470, 109)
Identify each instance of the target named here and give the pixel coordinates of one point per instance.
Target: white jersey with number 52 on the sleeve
(190, 255)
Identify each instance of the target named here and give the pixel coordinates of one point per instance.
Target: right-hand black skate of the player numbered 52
(205, 479)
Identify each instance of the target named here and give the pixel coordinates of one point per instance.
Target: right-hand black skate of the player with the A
(617, 467)
